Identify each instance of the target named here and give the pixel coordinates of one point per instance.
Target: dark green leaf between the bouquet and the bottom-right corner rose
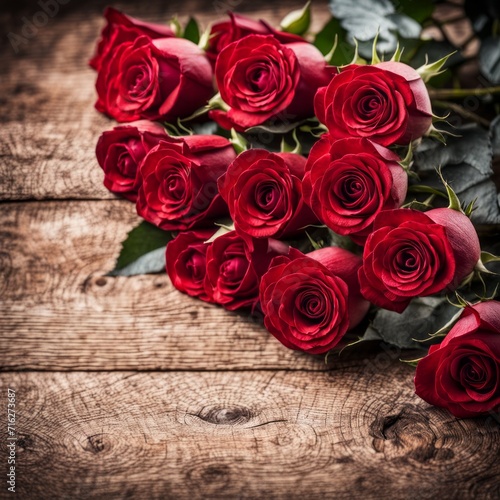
(423, 317)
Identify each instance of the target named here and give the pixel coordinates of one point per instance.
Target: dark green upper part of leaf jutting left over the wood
(141, 240)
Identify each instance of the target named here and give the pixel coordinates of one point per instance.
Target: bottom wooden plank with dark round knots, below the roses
(349, 433)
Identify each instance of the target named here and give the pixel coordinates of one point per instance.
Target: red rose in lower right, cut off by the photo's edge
(462, 373)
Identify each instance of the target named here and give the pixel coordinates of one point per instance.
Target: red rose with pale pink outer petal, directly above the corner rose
(415, 254)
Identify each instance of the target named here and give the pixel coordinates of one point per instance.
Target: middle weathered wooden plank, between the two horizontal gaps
(60, 311)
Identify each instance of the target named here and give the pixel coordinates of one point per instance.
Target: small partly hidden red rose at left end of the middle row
(120, 151)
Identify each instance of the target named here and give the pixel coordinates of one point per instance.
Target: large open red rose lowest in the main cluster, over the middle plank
(309, 302)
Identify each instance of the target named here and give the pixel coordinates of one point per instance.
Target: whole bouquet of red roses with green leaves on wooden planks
(305, 188)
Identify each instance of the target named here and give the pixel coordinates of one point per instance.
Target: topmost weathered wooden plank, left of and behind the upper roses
(49, 125)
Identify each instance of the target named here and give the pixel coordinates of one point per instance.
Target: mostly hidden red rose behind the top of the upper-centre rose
(223, 33)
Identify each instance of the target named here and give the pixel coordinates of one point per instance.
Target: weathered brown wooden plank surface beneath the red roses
(127, 388)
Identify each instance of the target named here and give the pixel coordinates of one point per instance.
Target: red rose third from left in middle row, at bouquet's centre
(263, 191)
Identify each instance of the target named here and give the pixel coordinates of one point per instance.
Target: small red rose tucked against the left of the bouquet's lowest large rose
(234, 272)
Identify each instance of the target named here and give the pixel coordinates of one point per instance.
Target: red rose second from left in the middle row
(178, 181)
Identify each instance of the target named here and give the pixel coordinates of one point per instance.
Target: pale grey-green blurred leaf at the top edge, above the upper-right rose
(363, 19)
